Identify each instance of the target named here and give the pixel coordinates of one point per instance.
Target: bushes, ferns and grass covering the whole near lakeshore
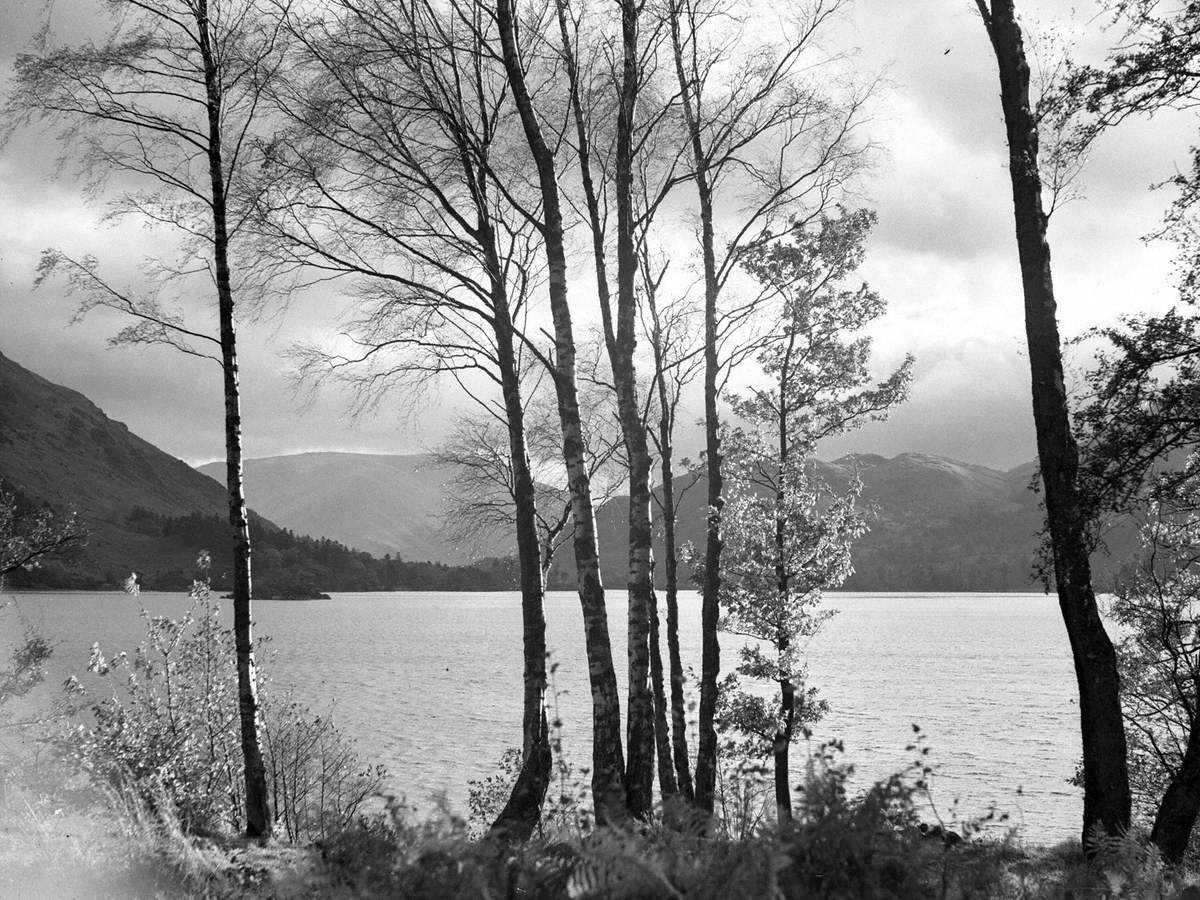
(134, 791)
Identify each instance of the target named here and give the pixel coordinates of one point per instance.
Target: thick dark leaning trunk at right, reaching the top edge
(1107, 800)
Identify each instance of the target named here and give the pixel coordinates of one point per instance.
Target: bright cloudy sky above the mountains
(944, 256)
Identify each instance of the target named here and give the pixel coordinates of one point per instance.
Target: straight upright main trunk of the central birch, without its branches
(640, 719)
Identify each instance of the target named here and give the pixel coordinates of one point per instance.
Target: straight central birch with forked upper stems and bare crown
(610, 67)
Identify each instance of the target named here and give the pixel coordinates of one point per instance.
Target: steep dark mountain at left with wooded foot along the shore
(151, 513)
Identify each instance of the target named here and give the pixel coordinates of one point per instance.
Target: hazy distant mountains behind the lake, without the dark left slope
(940, 525)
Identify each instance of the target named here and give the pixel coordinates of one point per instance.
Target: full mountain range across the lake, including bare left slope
(940, 524)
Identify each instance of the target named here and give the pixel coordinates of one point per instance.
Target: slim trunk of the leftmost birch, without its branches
(259, 812)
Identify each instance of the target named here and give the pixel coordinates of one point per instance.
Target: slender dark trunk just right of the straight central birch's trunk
(671, 566)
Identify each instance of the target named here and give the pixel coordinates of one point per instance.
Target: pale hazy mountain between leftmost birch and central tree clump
(375, 503)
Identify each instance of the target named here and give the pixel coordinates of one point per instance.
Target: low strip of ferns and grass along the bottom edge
(867, 848)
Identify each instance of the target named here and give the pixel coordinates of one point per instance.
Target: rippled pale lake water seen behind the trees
(430, 685)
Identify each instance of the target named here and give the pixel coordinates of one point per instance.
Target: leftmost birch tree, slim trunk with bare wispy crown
(165, 112)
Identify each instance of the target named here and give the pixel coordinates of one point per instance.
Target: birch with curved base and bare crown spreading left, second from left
(404, 178)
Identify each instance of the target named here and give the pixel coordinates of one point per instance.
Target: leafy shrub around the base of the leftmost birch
(170, 734)
